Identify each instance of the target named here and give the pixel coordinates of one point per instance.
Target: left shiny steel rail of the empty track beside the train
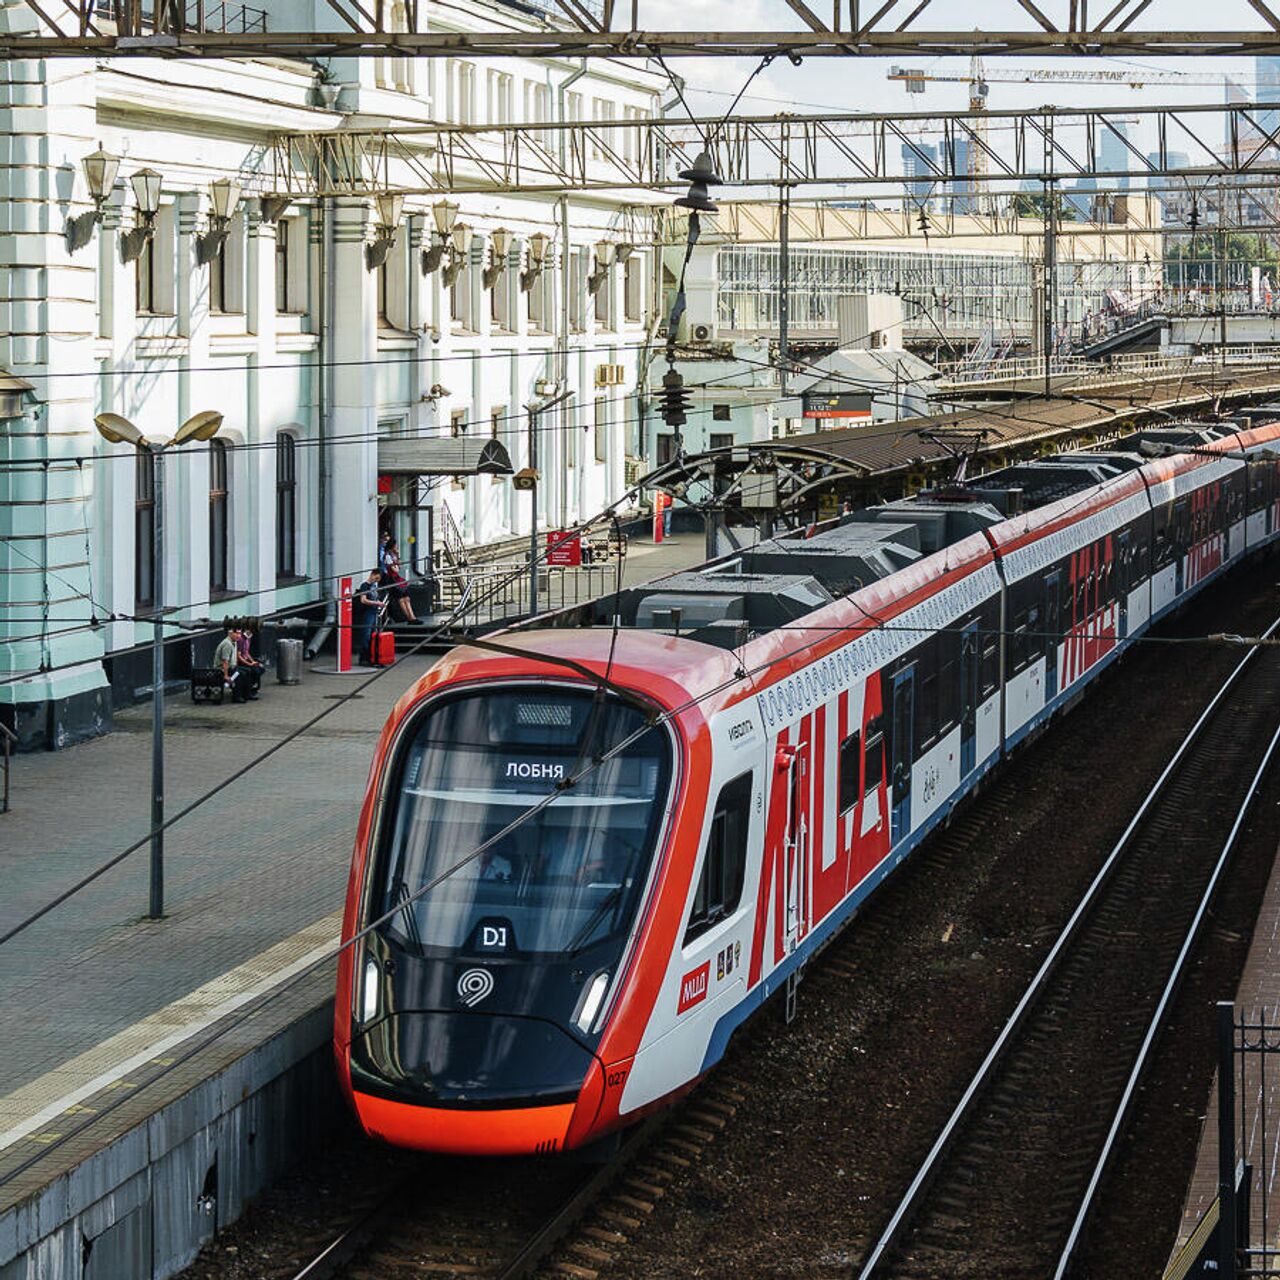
(908, 1206)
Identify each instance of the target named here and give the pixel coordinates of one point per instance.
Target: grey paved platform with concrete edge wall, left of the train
(147, 1091)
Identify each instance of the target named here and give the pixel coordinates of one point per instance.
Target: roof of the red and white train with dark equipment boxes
(871, 565)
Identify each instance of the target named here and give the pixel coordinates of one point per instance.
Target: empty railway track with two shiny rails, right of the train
(1009, 1185)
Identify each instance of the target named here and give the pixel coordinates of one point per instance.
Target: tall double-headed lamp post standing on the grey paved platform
(120, 431)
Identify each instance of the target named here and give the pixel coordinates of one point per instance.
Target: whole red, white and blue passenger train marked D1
(779, 730)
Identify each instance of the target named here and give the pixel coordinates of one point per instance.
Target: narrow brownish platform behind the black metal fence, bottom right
(1258, 999)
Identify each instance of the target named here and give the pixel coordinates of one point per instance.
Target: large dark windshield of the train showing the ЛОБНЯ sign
(564, 879)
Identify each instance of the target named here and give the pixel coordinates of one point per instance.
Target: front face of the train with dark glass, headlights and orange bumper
(476, 1012)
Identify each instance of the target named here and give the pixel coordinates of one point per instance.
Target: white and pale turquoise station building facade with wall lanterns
(287, 333)
